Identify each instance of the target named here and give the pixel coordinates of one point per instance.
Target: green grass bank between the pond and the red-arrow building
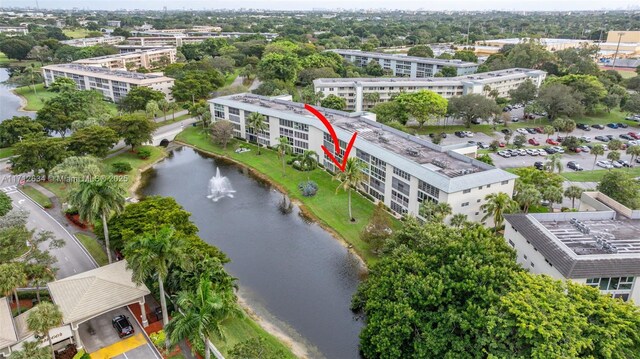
(330, 208)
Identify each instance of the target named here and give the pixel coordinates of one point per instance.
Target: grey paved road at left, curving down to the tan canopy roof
(72, 258)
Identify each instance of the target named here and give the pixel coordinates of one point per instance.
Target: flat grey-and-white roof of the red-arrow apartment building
(455, 171)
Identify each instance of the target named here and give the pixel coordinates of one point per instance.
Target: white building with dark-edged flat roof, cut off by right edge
(598, 246)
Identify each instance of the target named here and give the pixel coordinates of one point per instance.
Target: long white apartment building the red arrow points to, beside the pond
(402, 170)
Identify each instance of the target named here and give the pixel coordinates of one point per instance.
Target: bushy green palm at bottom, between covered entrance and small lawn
(201, 313)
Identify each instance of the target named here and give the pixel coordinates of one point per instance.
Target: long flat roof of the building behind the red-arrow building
(444, 81)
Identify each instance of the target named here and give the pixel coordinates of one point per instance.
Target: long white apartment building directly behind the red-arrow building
(355, 90)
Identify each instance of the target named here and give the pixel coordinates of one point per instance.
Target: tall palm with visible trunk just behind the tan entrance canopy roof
(98, 198)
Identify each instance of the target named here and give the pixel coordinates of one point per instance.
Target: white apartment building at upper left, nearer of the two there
(113, 84)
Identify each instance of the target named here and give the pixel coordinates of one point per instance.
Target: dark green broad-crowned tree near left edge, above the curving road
(38, 153)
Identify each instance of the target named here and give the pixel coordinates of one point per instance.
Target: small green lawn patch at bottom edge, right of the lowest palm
(239, 330)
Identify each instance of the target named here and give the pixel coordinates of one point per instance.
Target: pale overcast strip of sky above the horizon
(521, 5)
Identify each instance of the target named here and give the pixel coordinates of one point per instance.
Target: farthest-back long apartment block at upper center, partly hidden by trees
(406, 66)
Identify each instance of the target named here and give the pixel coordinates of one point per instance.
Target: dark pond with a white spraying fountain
(290, 271)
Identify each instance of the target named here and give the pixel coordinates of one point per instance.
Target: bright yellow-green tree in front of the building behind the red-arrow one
(423, 105)
